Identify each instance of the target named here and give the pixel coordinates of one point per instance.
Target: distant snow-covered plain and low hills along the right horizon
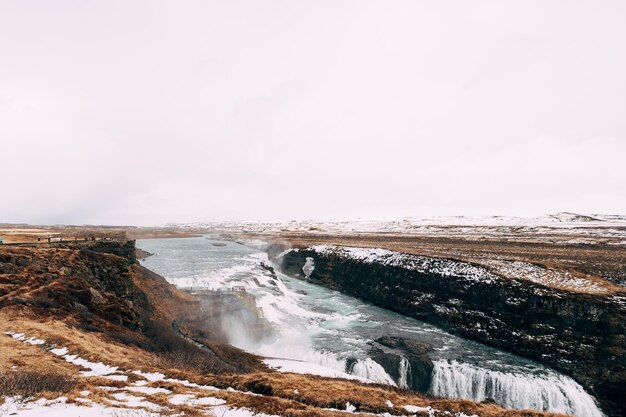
(568, 228)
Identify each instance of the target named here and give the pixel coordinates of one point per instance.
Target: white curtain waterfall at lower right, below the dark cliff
(551, 392)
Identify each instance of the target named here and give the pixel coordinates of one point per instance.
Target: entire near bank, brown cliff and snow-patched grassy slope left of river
(88, 331)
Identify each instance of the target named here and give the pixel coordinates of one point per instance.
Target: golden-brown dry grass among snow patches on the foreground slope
(314, 394)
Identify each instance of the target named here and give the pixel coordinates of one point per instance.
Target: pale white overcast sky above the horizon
(146, 112)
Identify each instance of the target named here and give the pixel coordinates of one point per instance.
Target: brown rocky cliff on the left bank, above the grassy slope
(99, 287)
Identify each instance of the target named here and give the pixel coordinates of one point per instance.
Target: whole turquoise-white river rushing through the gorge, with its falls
(315, 330)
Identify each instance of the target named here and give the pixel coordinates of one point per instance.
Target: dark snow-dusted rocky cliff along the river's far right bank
(582, 335)
